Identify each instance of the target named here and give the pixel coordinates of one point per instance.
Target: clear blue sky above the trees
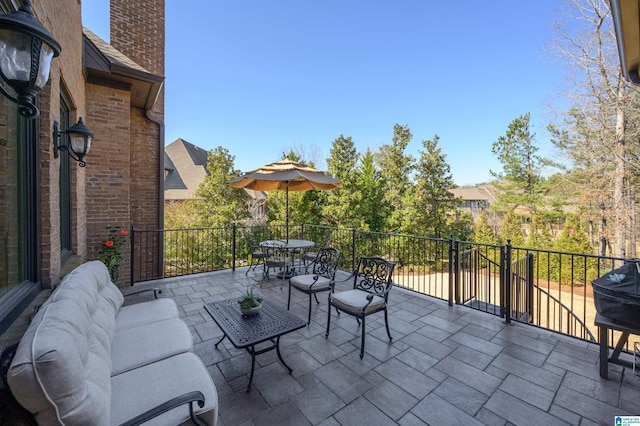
(261, 77)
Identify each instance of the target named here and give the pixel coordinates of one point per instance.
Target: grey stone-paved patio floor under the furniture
(445, 366)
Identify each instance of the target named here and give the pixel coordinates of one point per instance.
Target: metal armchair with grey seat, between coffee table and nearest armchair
(325, 265)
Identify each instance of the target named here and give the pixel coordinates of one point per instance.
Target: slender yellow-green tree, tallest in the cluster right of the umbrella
(396, 169)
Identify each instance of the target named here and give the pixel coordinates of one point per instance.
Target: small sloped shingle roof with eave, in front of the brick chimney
(104, 62)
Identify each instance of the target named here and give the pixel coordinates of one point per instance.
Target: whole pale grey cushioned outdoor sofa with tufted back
(88, 360)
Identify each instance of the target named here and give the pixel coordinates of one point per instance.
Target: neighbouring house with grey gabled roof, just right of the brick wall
(185, 166)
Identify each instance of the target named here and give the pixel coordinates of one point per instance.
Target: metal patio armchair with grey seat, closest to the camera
(370, 294)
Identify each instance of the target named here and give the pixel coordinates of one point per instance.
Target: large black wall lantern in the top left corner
(26, 50)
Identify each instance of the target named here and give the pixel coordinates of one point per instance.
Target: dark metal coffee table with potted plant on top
(245, 332)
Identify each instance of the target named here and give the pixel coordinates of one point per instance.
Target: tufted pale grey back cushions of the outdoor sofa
(62, 368)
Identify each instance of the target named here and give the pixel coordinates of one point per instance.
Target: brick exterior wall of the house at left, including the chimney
(125, 156)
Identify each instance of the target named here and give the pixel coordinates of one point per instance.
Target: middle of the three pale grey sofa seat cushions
(138, 346)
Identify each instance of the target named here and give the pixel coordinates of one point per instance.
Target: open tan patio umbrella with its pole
(287, 175)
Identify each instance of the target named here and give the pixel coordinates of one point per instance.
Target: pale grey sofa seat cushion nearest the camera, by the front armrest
(139, 390)
